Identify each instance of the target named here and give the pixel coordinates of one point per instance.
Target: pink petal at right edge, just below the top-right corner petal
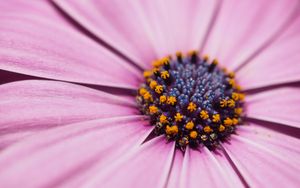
(280, 62)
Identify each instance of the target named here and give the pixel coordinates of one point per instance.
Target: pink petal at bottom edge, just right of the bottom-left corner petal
(146, 166)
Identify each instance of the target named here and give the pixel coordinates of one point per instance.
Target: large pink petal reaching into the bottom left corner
(55, 157)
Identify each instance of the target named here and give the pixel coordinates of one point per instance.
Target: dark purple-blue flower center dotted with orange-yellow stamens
(191, 100)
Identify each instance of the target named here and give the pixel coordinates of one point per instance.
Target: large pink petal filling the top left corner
(52, 49)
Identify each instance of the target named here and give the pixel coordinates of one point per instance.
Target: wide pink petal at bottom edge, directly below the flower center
(203, 168)
